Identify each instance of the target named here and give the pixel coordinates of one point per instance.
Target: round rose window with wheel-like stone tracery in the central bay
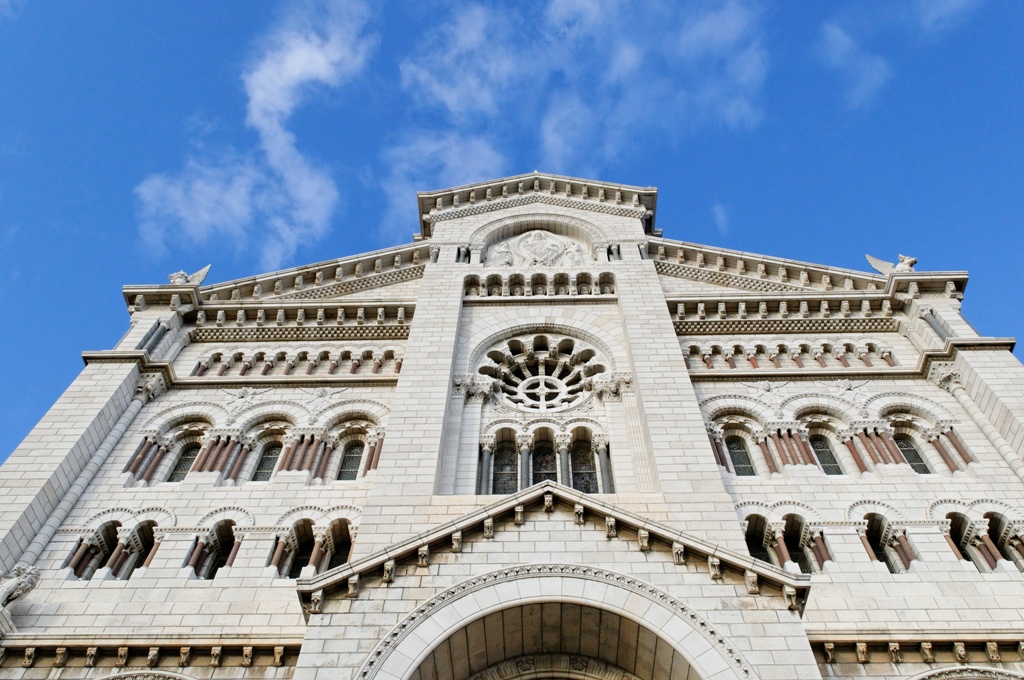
(543, 373)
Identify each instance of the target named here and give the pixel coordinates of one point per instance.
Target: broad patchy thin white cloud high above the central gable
(583, 87)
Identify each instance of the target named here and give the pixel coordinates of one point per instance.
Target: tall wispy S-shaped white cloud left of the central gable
(275, 196)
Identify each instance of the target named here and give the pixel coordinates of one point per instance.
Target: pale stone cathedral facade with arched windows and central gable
(540, 442)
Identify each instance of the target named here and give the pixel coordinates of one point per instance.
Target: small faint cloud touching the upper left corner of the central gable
(432, 161)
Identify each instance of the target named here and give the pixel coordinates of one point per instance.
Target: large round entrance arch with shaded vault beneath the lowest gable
(508, 623)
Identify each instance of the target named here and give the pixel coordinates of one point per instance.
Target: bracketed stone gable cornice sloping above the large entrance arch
(556, 499)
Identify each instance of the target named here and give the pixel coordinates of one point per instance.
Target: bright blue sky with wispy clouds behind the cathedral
(141, 139)
